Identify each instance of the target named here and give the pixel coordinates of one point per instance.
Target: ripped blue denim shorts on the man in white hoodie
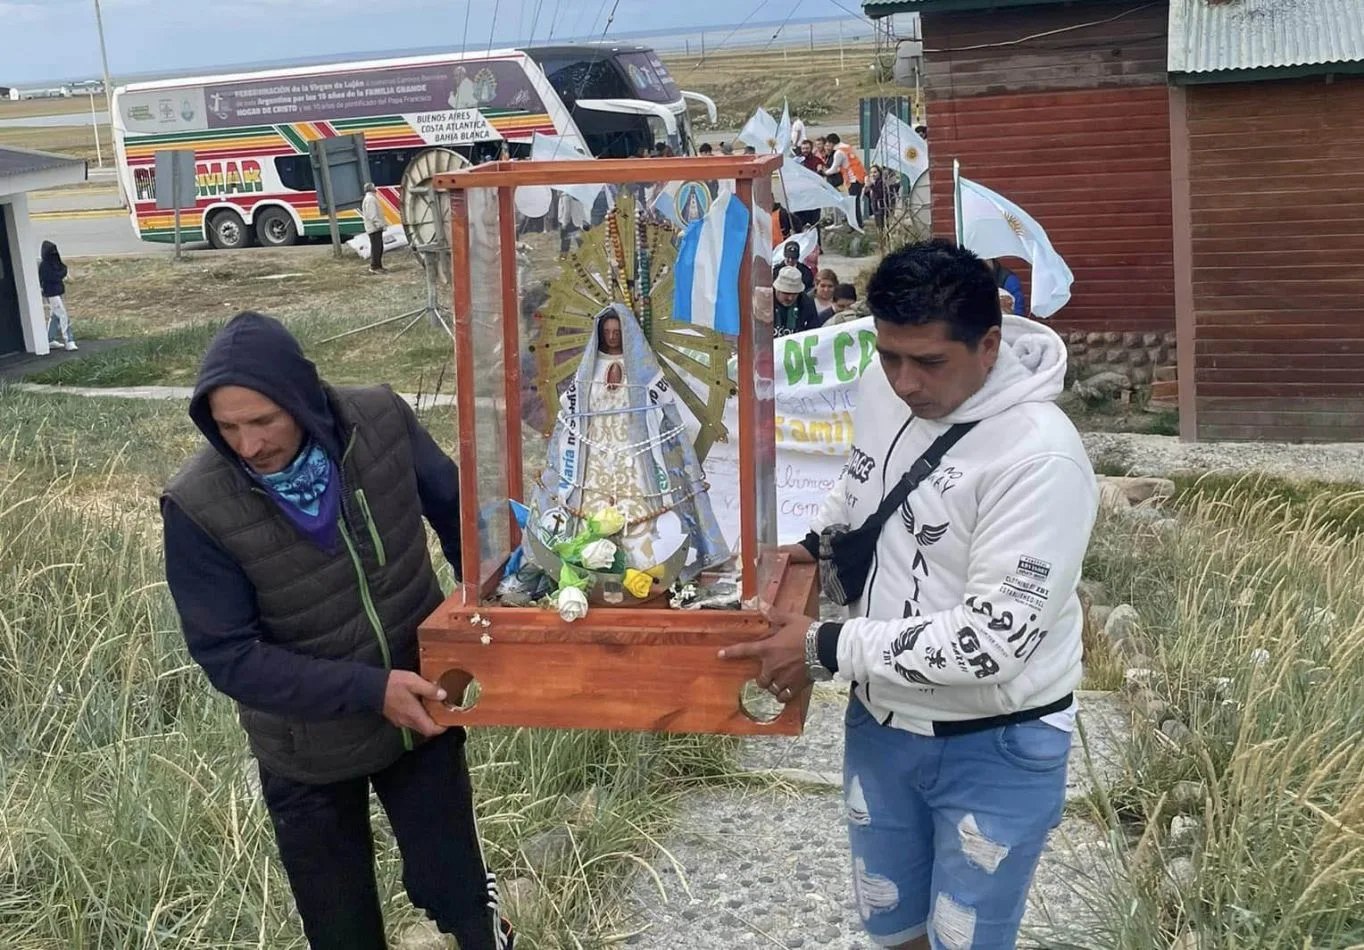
(947, 832)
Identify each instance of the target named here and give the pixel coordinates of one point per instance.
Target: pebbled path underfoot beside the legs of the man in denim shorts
(769, 866)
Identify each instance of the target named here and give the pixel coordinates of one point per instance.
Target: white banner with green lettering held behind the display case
(816, 383)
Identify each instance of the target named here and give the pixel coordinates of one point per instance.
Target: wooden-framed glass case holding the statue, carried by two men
(617, 447)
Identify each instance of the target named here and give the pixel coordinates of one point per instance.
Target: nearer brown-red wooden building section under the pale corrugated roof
(1268, 139)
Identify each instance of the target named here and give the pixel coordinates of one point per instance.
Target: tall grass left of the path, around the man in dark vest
(128, 814)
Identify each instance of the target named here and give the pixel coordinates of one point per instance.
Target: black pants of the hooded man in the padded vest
(328, 851)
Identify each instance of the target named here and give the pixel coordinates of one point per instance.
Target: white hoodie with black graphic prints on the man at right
(970, 607)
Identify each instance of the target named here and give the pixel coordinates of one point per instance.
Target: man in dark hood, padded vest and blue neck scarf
(298, 560)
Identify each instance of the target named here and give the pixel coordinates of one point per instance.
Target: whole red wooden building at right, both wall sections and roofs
(1198, 166)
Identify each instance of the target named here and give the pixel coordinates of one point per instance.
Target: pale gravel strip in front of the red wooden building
(1167, 455)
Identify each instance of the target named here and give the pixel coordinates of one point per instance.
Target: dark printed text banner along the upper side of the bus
(500, 85)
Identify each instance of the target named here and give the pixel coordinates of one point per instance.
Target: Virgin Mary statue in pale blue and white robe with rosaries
(620, 443)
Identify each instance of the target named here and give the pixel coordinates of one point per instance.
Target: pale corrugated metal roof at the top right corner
(1208, 36)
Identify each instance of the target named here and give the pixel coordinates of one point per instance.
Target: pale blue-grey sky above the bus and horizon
(43, 40)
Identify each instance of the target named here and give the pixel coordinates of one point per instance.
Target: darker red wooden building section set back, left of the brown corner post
(1065, 109)
